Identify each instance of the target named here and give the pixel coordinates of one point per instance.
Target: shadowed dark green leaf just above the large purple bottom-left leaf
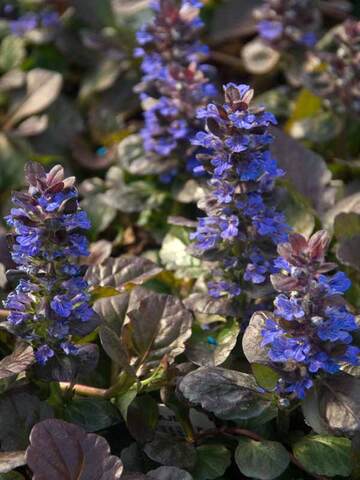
(92, 414)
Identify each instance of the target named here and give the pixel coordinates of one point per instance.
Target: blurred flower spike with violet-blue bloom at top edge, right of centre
(288, 24)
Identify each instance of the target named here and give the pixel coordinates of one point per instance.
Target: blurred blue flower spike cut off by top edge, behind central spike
(174, 83)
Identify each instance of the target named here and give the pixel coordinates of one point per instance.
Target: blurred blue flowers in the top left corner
(20, 25)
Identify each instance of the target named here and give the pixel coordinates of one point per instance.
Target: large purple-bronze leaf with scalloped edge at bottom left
(63, 451)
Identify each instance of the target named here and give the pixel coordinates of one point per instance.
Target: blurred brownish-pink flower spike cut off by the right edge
(334, 73)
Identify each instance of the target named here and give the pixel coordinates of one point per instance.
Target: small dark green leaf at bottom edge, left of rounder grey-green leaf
(212, 461)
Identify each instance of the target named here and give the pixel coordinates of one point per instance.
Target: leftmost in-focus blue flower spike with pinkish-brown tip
(51, 302)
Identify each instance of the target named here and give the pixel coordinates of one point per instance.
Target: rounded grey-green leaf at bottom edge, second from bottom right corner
(263, 460)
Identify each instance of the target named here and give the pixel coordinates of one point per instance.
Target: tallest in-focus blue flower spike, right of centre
(242, 226)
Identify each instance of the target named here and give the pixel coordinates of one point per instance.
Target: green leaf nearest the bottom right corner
(324, 455)
